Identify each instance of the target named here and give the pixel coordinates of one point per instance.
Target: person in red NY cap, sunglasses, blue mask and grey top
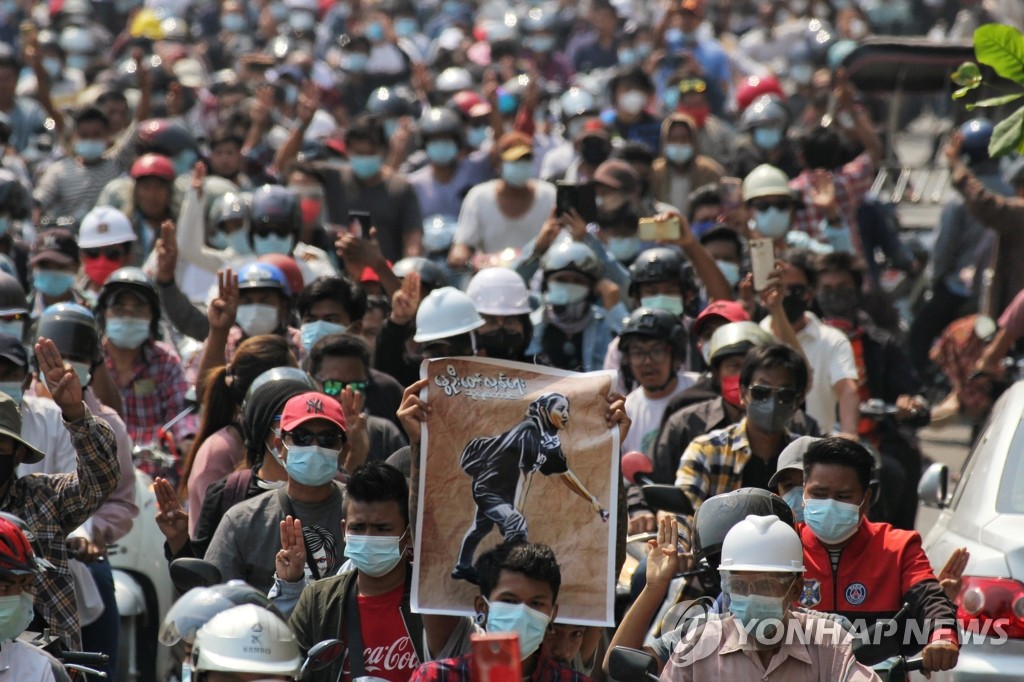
(314, 449)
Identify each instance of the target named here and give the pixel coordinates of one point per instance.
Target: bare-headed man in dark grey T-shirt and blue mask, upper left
(385, 194)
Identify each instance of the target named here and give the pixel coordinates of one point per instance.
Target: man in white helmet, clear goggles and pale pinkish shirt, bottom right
(761, 569)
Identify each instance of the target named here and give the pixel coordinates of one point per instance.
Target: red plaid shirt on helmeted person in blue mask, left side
(155, 395)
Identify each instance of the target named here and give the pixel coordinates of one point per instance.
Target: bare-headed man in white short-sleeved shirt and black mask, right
(828, 351)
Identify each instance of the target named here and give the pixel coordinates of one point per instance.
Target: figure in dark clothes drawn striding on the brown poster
(503, 466)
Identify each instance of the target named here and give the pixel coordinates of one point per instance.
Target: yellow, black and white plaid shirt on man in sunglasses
(714, 463)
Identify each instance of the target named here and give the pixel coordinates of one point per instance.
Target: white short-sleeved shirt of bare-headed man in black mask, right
(831, 358)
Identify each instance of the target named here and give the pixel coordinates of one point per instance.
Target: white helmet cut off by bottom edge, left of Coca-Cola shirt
(247, 640)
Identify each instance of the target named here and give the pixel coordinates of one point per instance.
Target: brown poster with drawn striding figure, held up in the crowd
(517, 452)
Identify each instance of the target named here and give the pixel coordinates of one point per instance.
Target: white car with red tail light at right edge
(986, 515)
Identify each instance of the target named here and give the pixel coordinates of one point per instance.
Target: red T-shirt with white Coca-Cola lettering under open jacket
(389, 653)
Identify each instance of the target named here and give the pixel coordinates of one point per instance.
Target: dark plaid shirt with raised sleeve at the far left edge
(57, 504)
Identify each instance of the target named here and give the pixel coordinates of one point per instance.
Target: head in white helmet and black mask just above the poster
(502, 300)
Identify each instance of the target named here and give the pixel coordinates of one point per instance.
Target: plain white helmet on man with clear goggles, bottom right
(762, 544)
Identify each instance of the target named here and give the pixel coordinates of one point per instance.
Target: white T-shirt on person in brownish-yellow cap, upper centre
(483, 226)
